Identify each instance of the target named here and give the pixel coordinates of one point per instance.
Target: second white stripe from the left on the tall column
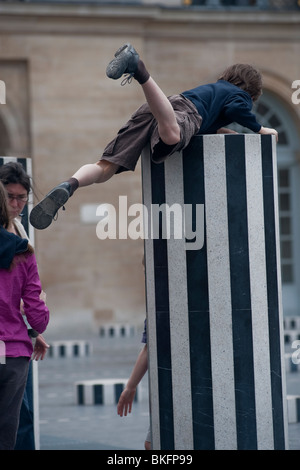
(179, 317)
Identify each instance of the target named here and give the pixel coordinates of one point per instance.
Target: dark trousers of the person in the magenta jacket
(13, 377)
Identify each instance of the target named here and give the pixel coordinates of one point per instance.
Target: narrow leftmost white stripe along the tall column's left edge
(151, 309)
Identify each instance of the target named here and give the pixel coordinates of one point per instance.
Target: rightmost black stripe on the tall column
(272, 289)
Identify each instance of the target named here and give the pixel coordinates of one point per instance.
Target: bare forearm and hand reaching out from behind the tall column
(127, 396)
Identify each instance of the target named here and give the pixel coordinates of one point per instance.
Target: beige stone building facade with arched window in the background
(61, 110)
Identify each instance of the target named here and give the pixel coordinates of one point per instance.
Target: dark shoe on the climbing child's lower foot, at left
(44, 212)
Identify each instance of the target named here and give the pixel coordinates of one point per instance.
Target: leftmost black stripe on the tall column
(162, 318)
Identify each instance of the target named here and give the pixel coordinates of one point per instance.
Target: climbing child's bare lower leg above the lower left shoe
(95, 173)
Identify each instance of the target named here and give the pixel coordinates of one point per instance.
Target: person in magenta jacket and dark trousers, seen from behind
(19, 279)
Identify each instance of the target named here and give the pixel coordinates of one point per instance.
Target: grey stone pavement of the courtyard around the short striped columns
(64, 425)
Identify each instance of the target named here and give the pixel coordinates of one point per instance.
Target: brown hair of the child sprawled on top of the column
(245, 77)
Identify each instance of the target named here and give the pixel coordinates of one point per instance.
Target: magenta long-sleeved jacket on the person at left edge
(22, 282)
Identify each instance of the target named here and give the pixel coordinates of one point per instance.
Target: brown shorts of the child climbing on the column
(141, 129)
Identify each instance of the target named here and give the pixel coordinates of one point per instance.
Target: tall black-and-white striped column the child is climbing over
(214, 316)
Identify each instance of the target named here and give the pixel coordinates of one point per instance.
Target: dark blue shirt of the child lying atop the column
(220, 104)
